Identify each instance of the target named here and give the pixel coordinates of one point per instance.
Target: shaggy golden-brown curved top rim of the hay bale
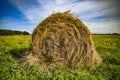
(60, 19)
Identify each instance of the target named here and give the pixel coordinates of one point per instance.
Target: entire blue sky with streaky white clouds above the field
(100, 16)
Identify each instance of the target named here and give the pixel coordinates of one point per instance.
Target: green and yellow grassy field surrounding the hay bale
(11, 48)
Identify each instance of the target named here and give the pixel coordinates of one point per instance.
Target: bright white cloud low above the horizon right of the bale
(106, 26)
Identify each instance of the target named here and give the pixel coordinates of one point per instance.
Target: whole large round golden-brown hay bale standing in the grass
(62, 39)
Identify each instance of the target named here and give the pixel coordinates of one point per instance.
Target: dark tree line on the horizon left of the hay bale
(11, 32)
